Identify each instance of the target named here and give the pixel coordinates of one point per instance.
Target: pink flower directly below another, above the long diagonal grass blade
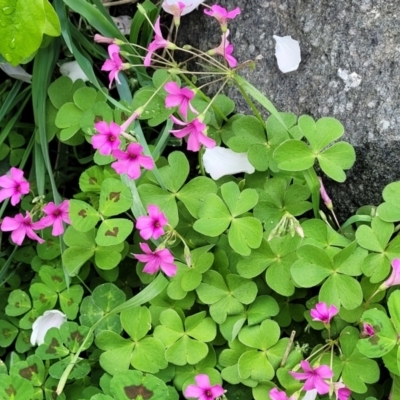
(155, 260)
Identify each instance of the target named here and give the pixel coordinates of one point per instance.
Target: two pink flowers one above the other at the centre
(151, 227)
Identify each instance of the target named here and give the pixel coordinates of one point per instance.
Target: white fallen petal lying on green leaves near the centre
(220, 161)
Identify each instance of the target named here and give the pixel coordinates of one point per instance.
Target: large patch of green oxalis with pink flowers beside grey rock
(156, 281)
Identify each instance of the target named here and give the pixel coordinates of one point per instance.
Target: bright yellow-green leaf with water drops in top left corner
(22, 27)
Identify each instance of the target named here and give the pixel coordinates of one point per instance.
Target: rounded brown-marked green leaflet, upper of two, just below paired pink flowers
(115, 197)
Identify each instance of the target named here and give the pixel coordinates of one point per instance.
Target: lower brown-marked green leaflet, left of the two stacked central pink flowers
(113, 231)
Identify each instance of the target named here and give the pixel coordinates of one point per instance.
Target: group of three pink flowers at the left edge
(14, 186)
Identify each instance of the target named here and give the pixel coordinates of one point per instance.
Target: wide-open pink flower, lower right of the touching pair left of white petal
(129, 161)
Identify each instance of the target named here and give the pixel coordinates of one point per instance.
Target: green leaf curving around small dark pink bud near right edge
(383, 340)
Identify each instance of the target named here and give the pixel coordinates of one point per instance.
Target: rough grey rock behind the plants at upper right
(350, 70)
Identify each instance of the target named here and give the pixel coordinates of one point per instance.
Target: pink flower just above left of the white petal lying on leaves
(195, 131)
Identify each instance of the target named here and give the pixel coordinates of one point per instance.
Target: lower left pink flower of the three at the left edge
(21, 226)
